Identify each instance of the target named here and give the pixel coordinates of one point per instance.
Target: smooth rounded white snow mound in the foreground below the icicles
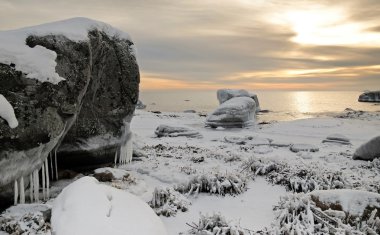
(88, 207)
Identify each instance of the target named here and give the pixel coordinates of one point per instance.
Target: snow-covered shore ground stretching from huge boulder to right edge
(174, 163)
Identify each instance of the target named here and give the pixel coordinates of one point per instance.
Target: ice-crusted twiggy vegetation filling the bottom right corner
(298, 214)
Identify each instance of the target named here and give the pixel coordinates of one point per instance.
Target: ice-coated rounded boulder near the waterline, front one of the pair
(235, 112)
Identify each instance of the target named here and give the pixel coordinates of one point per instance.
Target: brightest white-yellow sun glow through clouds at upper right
(328, 26)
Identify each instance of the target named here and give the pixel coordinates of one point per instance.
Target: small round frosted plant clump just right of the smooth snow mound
(167, 202)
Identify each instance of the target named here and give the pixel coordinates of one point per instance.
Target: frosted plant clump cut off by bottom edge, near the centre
(216, 225)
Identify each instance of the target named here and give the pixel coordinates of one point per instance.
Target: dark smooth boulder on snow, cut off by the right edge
(369, 150)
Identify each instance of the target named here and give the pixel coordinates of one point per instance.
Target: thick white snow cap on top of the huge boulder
(39, 62)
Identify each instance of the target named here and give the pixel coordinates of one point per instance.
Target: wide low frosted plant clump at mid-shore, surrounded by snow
(215, 184)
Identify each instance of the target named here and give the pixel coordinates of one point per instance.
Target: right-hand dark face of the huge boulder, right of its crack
(108, 103)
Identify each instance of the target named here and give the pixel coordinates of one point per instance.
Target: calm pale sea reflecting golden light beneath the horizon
(283, 105)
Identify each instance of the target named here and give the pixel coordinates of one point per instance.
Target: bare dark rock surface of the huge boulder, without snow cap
(96, 100)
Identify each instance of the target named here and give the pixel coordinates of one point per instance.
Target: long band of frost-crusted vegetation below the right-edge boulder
(306, 178)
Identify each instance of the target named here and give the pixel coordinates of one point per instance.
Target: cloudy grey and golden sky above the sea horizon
(250, 44)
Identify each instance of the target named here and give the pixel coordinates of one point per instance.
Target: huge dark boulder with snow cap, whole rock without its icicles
(73, 82)
